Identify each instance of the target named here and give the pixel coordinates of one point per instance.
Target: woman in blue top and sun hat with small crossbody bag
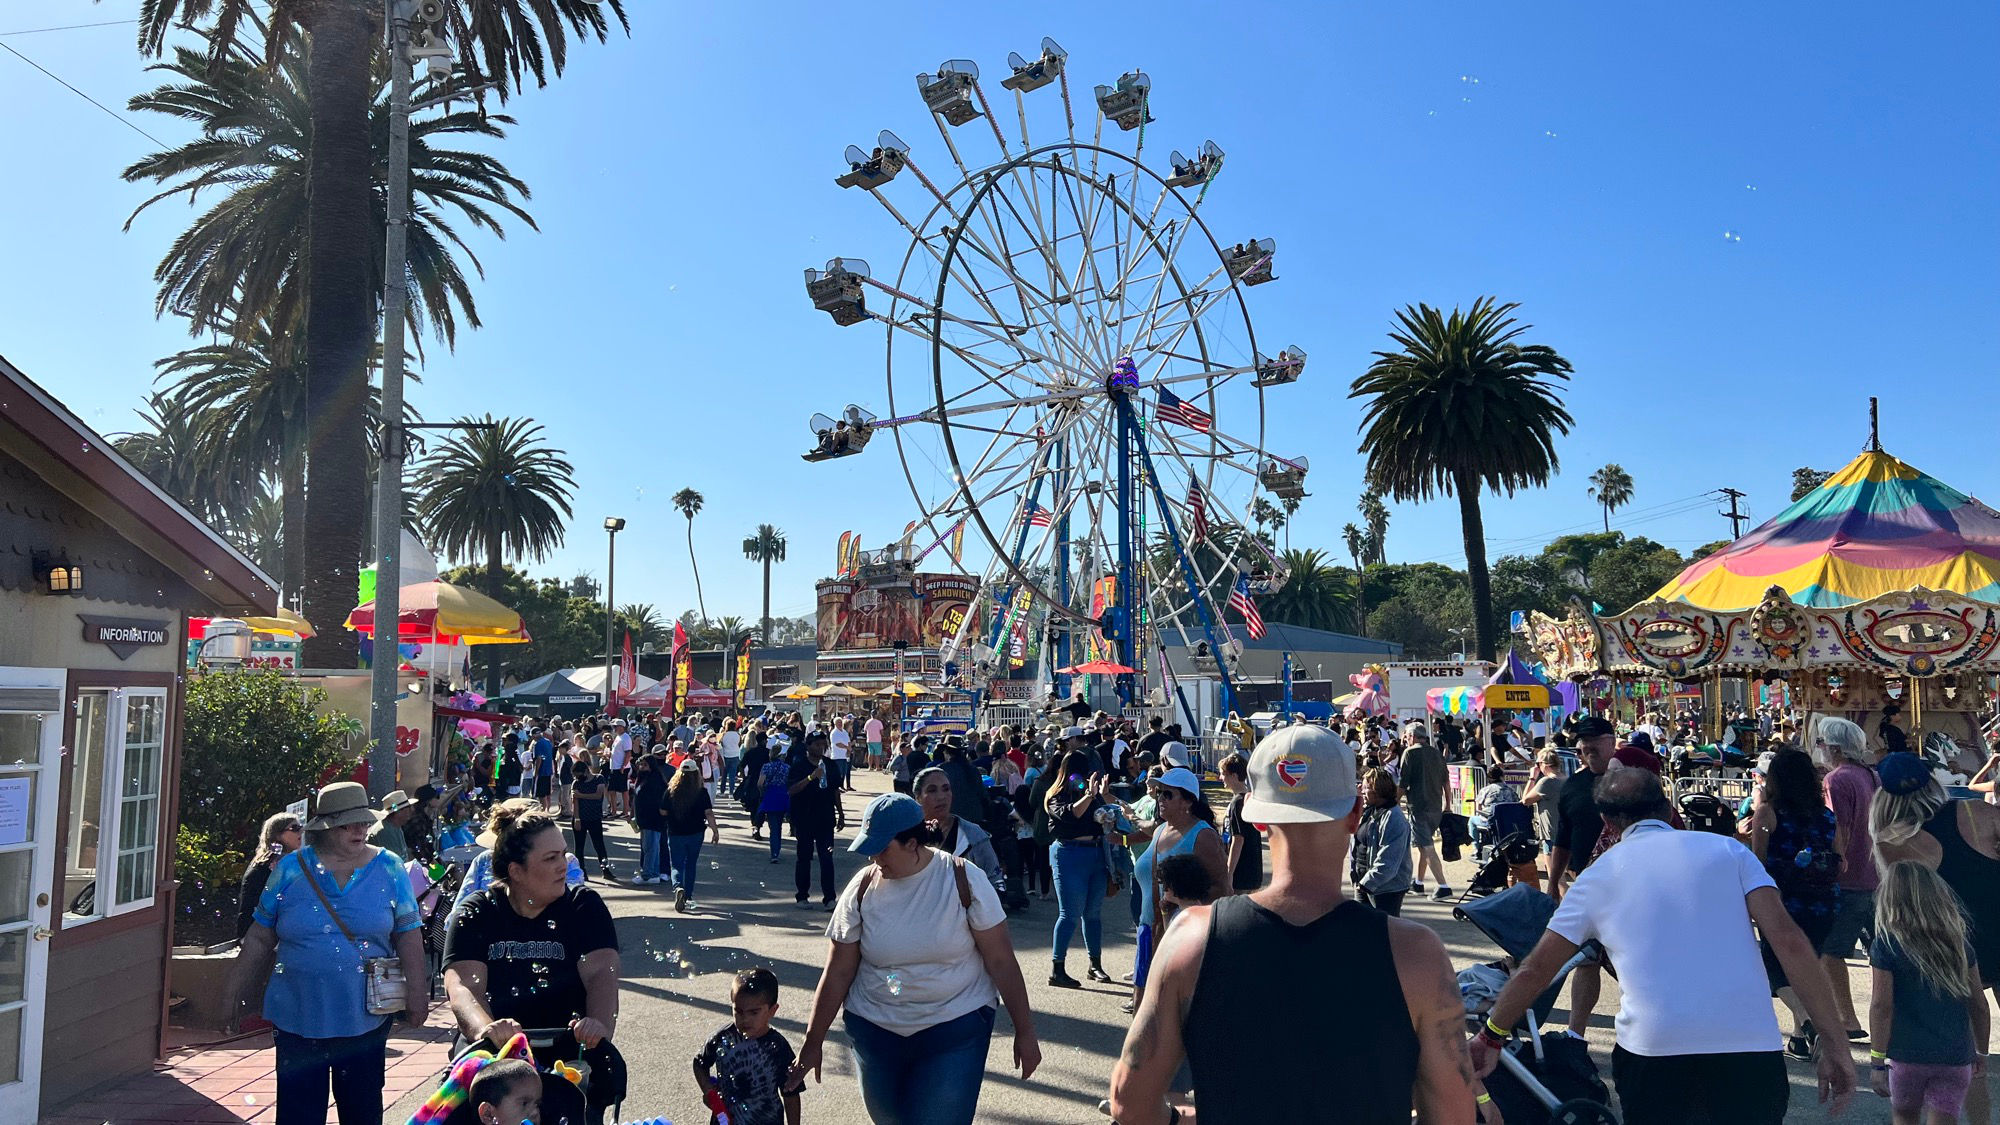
(317, 898)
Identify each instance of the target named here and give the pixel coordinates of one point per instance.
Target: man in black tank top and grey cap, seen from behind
(1297, 1004)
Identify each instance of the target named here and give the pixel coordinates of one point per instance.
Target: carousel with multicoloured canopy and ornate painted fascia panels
(1881, 586)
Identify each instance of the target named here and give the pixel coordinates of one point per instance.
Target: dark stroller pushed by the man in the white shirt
(1541, 1078)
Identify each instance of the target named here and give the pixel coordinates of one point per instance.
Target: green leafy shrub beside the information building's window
(253, 744)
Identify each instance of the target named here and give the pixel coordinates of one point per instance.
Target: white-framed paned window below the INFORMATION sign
(113, 848)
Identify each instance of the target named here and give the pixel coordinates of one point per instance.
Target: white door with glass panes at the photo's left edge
(31, 750)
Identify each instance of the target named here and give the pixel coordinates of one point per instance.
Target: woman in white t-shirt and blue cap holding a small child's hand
(919, 958)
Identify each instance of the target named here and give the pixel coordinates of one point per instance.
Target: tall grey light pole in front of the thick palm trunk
(389, 471)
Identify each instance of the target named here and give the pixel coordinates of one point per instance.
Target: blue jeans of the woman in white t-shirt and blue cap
(929, 1078)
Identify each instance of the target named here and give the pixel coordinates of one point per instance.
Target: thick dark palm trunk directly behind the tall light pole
(343, 241)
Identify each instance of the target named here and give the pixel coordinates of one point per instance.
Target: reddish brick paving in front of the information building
(239, 1082)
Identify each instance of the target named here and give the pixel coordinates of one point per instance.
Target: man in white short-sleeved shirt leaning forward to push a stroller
(1697, 1034)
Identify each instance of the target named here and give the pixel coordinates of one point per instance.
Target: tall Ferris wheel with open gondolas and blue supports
(1073, 377)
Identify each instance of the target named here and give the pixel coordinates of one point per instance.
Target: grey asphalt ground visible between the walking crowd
(677, 980)
